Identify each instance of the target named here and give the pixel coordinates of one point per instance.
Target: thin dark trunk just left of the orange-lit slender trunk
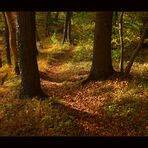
(7, 45)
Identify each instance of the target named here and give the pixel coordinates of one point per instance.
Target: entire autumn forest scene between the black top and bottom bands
(74, 73)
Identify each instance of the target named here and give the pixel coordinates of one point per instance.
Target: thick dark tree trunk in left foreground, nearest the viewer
(30, 80)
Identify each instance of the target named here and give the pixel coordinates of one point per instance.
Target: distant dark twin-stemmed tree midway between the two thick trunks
(67, 28)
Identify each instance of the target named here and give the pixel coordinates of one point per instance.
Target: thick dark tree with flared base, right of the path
(102, 63)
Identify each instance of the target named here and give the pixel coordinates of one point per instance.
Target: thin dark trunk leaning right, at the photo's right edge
(135, 53)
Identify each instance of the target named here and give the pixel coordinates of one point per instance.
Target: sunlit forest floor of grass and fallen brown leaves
(114, 107)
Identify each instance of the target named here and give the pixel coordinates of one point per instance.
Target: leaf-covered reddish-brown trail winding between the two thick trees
(85, 104)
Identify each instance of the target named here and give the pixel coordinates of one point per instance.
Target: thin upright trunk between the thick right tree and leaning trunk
(121, 42)
